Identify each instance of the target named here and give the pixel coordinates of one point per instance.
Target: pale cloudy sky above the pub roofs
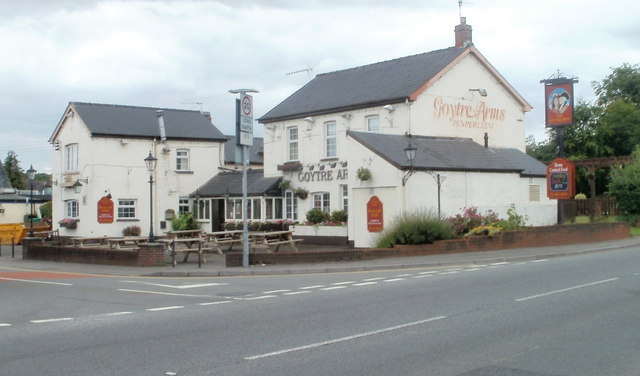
(189, 54)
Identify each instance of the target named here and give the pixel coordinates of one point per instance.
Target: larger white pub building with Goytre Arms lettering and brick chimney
(344, 137)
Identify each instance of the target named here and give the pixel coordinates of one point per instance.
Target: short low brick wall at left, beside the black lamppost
(146, 255)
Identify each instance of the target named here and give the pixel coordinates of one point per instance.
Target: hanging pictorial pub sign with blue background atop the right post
(559, 102)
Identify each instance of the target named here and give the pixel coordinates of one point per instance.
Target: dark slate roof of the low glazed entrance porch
(231, 183)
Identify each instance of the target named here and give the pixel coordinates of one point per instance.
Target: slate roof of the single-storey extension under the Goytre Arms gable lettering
(449, 154)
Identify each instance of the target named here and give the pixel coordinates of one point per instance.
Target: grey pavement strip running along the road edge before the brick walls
(11, 259)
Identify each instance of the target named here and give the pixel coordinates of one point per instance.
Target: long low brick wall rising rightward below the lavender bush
(534, 237)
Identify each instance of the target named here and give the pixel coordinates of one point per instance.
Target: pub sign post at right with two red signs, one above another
(560, 113)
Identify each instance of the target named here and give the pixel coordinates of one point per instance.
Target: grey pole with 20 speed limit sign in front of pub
(244, 139)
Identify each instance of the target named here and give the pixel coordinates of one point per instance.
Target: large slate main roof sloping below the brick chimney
(386, 82)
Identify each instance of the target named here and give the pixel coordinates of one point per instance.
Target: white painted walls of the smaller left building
(118, 168)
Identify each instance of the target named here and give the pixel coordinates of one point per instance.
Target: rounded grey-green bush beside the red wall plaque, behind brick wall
(419, 227)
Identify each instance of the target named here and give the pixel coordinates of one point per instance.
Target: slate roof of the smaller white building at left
(131, 121)
